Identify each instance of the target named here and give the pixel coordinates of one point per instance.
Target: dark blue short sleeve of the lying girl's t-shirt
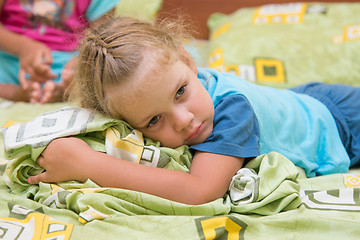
(236, 129)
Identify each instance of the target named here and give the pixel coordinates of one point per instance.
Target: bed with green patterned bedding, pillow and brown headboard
(279, 45)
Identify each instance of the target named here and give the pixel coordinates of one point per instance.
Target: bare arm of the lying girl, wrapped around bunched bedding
(72, 159)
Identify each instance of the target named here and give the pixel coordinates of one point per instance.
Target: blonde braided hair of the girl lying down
(111, 53)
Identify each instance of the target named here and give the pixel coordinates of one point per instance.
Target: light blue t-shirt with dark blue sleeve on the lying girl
(267, 119)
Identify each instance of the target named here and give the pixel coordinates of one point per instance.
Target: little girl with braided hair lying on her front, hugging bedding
(139, 72)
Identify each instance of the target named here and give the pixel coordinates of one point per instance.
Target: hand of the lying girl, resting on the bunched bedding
(62, 160)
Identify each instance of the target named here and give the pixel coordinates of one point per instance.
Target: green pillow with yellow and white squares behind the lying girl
(322, 45)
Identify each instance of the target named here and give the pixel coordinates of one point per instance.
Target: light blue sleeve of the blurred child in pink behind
(98, 8)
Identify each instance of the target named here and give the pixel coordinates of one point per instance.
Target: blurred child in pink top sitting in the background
(38, 45)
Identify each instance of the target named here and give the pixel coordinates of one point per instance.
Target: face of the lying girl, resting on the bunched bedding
(169, 105)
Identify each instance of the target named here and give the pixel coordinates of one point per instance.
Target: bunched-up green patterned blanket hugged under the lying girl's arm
(266, 186)
